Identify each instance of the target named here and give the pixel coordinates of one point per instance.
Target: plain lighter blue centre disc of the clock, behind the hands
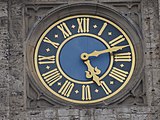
(73, 49)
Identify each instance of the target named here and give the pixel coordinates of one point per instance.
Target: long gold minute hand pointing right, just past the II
(85, 56)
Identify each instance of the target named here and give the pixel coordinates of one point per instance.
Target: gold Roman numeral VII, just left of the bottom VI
(66, 89)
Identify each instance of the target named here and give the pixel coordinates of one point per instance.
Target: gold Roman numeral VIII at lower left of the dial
(52, 76)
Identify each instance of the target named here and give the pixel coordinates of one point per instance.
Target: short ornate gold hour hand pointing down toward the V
(92, 72)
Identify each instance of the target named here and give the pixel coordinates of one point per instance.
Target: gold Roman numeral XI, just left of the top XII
(64, 29)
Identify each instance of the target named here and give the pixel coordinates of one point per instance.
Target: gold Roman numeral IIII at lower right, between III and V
(118, 74)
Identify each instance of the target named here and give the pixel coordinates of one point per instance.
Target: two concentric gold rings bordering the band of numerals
(76, 35)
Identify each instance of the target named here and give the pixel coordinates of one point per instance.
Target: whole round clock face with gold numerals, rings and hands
(84, 59)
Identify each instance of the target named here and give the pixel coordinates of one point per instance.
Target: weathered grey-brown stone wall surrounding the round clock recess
(16, 20)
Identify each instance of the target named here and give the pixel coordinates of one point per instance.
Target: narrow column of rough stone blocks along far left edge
(4, 57)
